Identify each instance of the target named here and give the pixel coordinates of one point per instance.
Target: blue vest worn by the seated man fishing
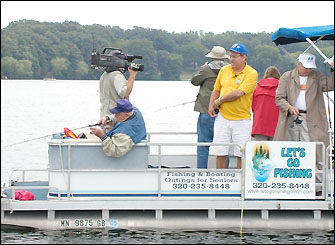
(133, 127)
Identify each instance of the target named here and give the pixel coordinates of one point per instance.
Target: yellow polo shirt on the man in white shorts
(226, 82)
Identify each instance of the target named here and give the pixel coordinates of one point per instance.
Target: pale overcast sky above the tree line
(176, 16)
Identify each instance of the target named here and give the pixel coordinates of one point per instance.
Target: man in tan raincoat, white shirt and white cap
(299, 97)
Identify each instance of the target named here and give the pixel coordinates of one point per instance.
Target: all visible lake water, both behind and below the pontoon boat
(32, 109)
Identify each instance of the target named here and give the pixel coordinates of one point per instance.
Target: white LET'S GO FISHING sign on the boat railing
(280, 170)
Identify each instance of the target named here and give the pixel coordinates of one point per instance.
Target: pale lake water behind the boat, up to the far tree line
(31, 109)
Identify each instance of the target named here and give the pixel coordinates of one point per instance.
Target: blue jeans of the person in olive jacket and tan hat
(205, 130)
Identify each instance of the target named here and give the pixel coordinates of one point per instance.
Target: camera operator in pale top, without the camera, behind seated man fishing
(114, 86)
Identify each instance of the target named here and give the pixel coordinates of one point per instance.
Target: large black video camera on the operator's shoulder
(112, 59)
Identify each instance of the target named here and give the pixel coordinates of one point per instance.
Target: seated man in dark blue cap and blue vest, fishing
(128, 128)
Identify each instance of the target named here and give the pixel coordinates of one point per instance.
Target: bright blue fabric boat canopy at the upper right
(294, 35)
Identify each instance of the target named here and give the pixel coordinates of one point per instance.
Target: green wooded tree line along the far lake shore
(35, 50)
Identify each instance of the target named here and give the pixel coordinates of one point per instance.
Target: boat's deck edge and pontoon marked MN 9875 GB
(170, 213)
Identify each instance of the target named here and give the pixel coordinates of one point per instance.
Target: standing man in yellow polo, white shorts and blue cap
(232, 95)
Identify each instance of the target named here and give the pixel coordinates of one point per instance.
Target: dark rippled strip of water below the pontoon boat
(168, 237)
